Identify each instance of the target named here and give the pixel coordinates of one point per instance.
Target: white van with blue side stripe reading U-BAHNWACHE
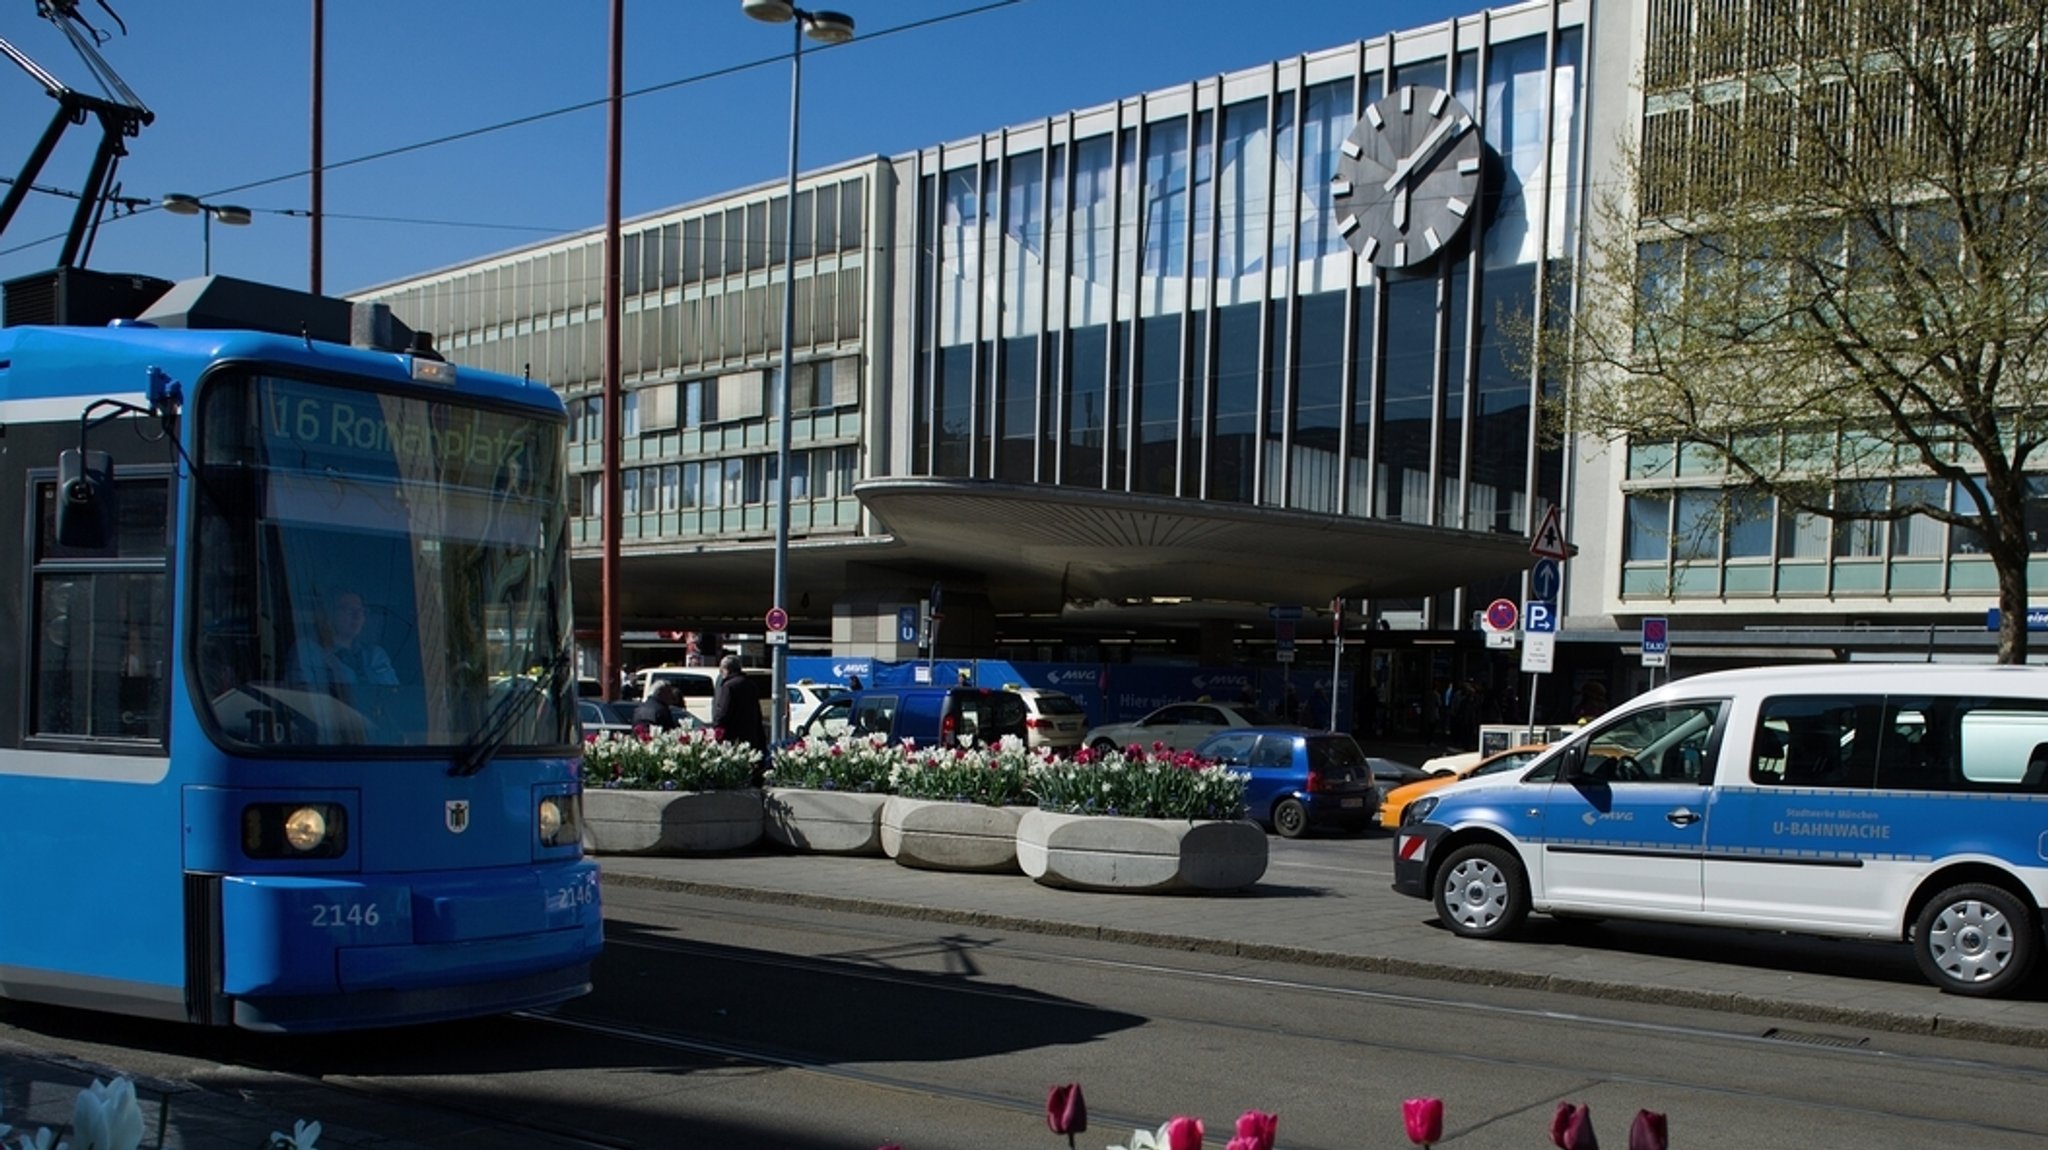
(1859, 801)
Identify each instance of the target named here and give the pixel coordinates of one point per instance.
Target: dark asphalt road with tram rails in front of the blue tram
(744, 1024)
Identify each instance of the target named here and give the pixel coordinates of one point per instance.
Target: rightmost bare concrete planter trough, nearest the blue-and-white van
(1144, 856)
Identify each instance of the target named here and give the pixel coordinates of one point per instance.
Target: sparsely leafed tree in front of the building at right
(1826, 271)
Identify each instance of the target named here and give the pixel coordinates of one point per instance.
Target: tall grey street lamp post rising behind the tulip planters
(822, 28)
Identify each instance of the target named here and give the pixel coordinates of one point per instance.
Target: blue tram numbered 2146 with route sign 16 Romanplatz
(290, 740)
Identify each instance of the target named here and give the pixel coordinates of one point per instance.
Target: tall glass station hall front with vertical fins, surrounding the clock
(1162, 294)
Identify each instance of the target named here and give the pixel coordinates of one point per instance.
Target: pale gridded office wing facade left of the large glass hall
(701, 330)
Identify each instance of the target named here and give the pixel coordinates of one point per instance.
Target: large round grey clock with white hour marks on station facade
(1408, 177)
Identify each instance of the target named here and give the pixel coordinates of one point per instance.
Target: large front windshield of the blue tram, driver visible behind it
(378, 570)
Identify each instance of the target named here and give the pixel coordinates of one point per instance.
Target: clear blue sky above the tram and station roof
(230, 89)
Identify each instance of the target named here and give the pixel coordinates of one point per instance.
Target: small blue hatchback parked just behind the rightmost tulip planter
(1299, 779)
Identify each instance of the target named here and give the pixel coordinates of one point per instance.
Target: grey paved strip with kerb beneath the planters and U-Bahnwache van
(1326, 908)
